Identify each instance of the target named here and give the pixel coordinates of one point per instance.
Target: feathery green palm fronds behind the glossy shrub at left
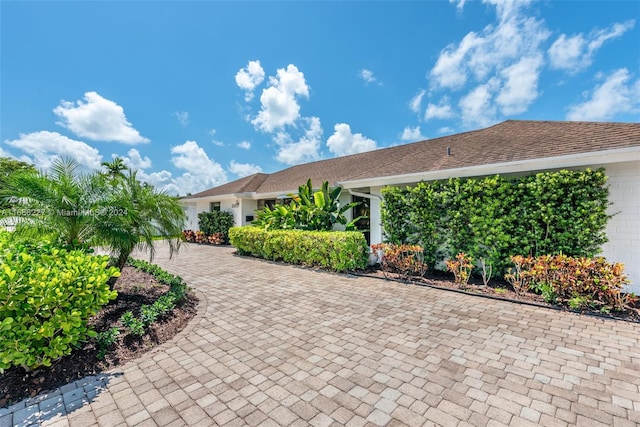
(78, 209)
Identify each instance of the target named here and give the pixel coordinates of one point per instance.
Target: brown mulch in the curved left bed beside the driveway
(135, 288)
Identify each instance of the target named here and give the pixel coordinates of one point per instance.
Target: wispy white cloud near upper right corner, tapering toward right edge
(575, 53)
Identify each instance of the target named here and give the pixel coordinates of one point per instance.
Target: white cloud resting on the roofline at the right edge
(618, 94)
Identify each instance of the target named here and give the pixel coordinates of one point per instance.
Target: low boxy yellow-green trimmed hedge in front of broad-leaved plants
(334, 250)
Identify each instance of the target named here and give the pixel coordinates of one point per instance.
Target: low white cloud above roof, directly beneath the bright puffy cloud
(306, 149)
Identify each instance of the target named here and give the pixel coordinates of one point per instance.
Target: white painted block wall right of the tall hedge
(623, 228)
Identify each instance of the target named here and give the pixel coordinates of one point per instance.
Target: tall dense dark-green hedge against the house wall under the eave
(493, 218)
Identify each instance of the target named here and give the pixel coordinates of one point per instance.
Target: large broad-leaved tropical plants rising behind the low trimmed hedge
(308, 210)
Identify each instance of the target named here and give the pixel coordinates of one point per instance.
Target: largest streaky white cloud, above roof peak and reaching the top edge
(495, 70)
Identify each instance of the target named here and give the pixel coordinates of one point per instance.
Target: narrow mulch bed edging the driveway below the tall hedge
(498, 290)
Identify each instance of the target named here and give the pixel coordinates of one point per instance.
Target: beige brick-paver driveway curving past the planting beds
(277, 345)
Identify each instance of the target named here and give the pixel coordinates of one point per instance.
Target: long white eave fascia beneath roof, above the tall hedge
(573, 160)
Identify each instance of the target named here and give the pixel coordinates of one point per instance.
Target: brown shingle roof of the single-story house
(509, 141)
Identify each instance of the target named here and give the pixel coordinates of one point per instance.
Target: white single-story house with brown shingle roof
(508, 148)
